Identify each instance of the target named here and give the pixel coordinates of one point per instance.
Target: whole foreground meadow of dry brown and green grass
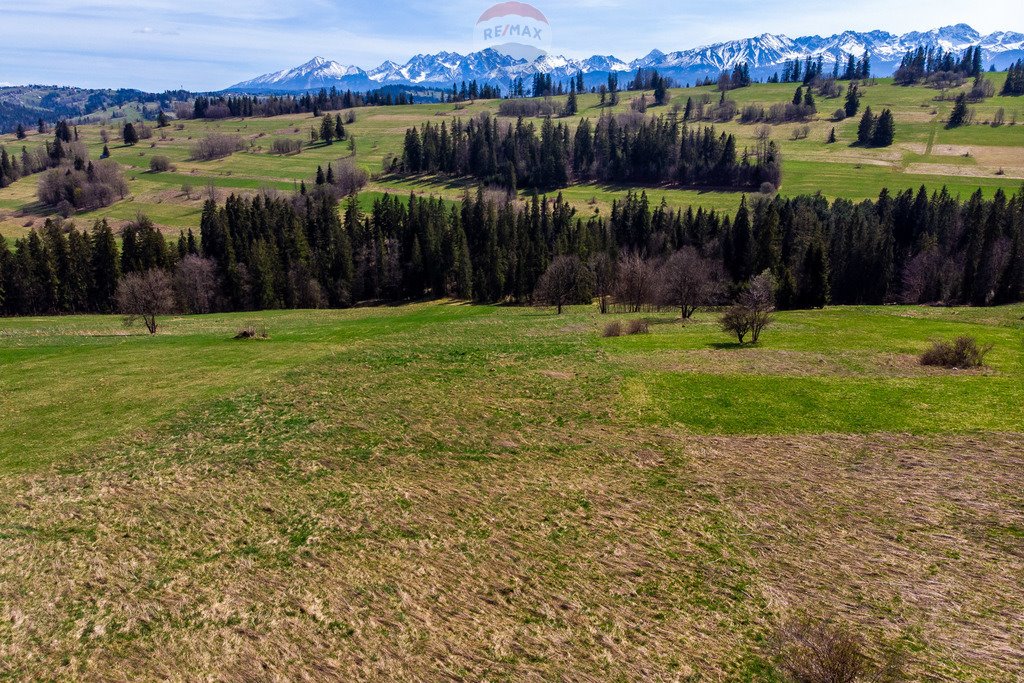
(474, 493)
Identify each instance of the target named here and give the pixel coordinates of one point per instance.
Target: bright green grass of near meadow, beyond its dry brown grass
(72, 382)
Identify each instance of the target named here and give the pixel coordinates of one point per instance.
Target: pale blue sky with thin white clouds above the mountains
(162, 45)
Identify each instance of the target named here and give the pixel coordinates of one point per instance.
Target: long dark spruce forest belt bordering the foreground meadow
(306, 251)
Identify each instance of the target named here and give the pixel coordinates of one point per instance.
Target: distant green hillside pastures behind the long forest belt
(925, 153)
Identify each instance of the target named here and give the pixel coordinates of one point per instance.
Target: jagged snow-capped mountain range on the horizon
(764, 54)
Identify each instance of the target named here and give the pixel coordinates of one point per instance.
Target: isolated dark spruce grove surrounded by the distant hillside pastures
(630, 148)
